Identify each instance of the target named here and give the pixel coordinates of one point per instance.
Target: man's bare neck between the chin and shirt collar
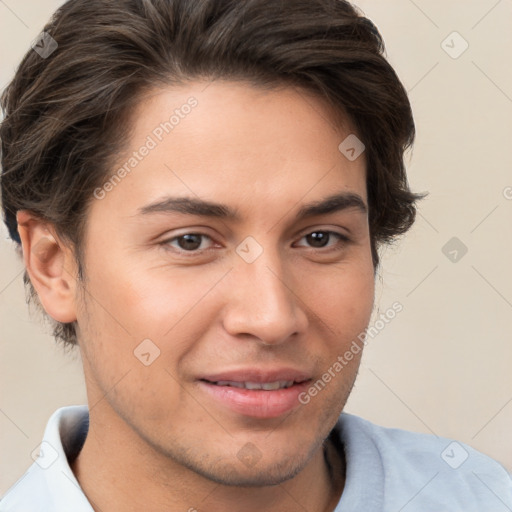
(119, 472)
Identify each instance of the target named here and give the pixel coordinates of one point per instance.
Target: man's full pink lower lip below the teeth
(256, 403)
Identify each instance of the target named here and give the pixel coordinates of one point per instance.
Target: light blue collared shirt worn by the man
(387, 470)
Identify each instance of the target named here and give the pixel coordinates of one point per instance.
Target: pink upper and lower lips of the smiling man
(257, 403)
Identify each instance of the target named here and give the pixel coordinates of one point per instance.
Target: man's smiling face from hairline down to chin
(207, 268)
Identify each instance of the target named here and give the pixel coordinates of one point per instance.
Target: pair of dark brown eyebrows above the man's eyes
(203, 208)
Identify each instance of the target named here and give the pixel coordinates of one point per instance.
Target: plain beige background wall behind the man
(443, 365)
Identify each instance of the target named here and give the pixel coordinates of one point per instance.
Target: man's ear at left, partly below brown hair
(51, 266)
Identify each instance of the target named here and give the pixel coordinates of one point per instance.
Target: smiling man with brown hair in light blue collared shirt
(200, 190)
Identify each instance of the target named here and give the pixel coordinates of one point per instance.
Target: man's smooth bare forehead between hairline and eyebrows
(237, 144)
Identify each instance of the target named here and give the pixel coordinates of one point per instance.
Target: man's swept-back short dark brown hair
(65, 116)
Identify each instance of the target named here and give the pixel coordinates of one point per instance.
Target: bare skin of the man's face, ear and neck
(156, 439)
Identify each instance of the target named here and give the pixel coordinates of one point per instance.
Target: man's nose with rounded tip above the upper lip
(263, 301)
